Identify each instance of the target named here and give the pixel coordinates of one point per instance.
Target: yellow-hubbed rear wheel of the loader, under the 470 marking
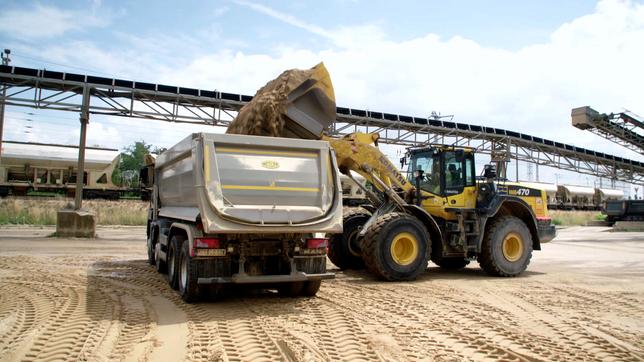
(507, 247)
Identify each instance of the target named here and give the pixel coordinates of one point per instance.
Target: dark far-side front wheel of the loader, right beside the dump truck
(344, 250)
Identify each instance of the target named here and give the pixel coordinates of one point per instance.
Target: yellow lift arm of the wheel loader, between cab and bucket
(358, 152)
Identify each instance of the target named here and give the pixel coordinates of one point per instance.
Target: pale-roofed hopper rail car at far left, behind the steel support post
(46, 167)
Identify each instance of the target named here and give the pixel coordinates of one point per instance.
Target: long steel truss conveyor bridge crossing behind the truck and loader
(45, 89)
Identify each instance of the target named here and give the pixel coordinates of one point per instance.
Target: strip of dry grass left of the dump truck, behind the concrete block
(43, 212)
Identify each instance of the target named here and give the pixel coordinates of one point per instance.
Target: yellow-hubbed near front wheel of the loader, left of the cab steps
(396, 247)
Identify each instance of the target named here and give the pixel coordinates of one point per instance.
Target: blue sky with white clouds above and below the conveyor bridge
(519, 65)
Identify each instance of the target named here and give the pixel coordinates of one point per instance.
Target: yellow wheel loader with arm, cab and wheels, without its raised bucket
(440, 211)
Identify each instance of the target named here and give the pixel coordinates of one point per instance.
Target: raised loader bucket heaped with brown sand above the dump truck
(297, 104)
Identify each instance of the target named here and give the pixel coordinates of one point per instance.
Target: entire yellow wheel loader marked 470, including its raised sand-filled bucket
(440, 210)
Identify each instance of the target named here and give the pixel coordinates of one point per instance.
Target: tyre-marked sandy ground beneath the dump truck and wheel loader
(582, 298)
